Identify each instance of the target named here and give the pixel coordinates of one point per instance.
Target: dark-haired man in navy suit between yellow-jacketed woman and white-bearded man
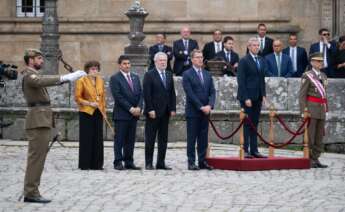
(126, 90)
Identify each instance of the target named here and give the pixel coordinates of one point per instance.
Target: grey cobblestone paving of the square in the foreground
(177, 190)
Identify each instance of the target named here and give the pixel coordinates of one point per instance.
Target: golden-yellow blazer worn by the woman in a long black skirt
(86, 92)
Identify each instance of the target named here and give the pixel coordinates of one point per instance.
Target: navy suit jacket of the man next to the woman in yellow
(124, 97)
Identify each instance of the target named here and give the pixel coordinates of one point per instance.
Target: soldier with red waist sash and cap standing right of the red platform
(313, 98)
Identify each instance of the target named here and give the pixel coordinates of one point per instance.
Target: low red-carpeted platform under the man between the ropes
(257, 164)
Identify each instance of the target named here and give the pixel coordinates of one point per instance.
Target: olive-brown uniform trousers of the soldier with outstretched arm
(37, 152)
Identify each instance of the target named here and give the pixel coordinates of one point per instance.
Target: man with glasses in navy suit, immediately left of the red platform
(200, 98)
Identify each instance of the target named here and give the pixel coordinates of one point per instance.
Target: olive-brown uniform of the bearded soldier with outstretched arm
(39, 121)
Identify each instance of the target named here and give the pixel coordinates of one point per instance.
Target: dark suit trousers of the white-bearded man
(153, 127)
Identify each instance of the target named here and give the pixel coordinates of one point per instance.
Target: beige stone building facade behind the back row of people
(97, 29)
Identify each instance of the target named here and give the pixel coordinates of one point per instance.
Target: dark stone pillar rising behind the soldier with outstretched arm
(50, 38)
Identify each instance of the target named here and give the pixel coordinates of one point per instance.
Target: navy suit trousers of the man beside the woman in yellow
(124, 140)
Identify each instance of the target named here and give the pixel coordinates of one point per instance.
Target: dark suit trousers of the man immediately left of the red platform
(197, 132)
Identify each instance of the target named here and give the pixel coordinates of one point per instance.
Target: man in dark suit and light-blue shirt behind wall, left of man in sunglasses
(298, 55)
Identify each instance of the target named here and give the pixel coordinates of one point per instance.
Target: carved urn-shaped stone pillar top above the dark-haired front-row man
(136, 50)
